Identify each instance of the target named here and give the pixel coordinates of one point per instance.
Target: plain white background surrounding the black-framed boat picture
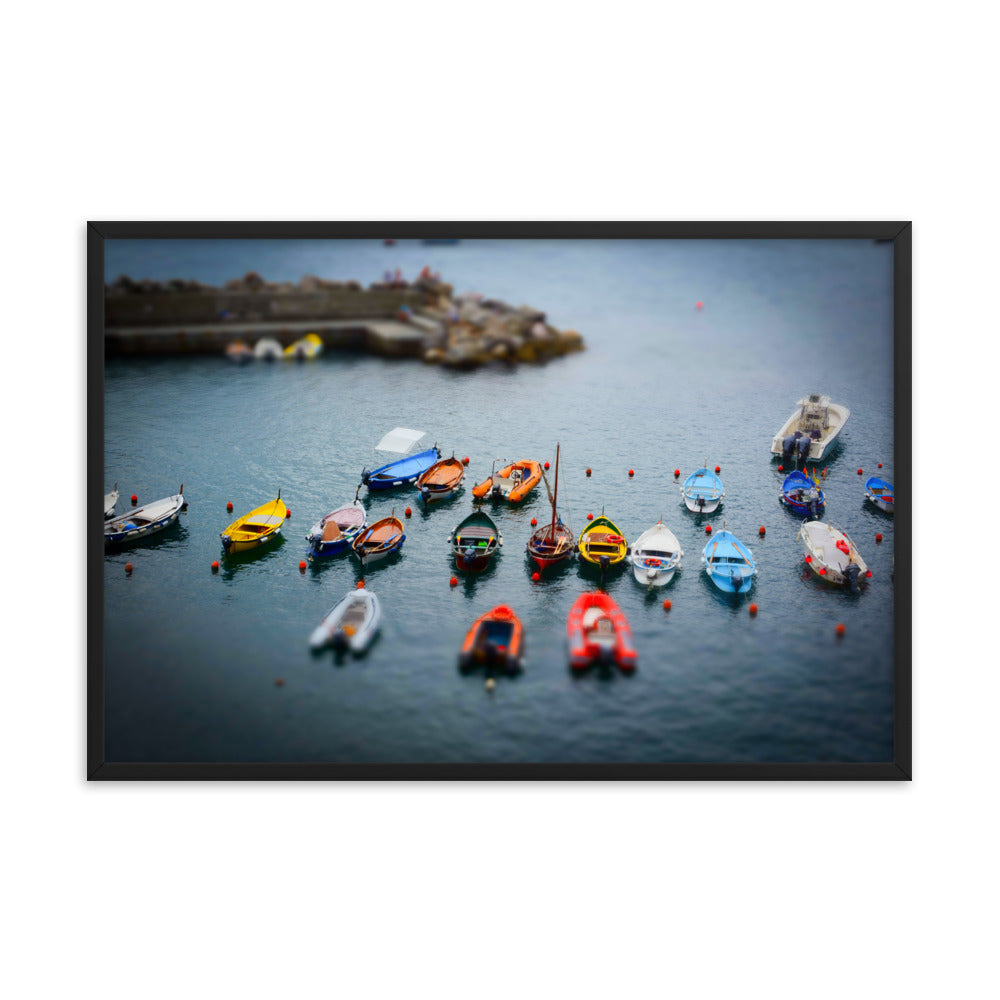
(533, 111)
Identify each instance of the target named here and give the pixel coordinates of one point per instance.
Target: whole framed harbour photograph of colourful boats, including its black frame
(499, 501)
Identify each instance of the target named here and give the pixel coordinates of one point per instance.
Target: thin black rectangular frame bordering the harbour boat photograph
(899, 768)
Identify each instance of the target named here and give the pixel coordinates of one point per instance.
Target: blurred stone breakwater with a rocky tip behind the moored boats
(421, 319)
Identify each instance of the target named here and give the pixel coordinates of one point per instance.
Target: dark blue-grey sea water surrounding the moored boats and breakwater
(192, 657)
